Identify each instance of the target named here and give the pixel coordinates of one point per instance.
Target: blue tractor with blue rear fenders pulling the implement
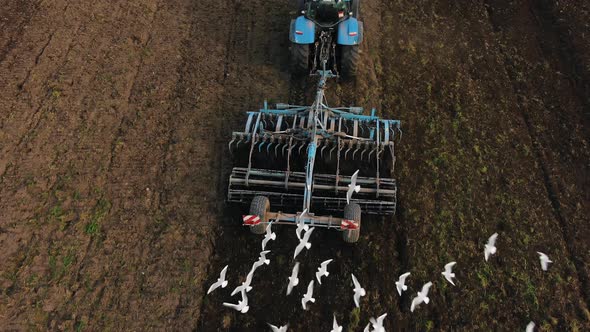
(326, 31)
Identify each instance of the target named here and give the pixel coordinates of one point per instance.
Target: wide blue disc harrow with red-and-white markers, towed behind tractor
(301, 158)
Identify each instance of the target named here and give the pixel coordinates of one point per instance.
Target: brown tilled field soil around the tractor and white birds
(114, 123)
